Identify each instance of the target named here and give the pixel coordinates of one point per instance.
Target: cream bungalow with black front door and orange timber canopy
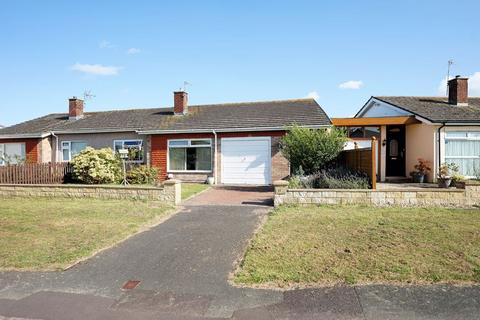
(437, 129)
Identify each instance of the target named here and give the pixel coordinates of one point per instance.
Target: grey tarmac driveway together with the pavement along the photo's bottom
(183, 266)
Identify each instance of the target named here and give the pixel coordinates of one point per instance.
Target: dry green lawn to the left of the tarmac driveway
(49, 234)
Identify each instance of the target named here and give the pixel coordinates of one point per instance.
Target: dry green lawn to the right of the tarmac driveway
(328, 245)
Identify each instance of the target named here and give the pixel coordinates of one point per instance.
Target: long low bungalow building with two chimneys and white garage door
(236, 143)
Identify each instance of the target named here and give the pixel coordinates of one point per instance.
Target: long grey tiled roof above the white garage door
(219, 116)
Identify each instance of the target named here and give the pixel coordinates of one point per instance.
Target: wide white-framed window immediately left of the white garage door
(190, 155)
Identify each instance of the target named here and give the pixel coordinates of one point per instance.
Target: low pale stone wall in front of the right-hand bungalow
(431, 197)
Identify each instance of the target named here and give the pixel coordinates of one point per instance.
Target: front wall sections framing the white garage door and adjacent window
(280, 166)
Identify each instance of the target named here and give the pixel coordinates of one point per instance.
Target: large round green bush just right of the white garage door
(312, 149)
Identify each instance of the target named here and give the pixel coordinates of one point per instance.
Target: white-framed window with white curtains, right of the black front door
(463, 149)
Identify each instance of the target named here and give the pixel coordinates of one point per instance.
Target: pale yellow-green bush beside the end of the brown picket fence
(93, 166)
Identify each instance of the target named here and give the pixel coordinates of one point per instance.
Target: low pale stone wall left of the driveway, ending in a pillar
(169, 192)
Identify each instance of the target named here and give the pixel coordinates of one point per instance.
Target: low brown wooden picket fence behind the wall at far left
(35, 173)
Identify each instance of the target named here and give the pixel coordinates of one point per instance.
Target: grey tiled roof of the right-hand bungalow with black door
(437, 109)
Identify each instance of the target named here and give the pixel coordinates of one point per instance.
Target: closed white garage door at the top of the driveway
(246, 160)
